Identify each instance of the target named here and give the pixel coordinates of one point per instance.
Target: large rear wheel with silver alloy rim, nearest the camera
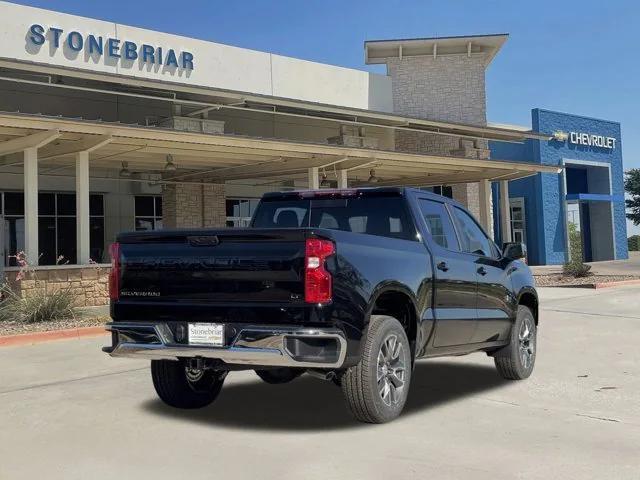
(376, 388)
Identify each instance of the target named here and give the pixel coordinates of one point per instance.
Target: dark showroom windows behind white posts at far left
(56, 227)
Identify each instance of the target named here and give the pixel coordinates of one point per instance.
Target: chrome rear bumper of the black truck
(288, 346)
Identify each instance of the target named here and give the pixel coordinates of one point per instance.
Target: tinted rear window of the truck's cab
(383, 216)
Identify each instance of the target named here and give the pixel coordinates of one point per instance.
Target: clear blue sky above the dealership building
(578, 57)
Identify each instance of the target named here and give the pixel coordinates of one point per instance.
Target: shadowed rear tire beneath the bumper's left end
(180, 387)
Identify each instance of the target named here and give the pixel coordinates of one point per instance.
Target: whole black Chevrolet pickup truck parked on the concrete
(352, 286)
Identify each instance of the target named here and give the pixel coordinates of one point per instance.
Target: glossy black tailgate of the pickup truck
(213, 266)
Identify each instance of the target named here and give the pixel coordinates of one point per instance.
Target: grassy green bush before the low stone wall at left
(36, 307)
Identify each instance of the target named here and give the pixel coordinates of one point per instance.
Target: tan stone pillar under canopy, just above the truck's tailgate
(186, 205)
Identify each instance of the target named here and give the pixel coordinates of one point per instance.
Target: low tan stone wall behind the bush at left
(89, 285)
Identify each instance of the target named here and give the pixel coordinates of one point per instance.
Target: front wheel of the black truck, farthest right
(517, 359)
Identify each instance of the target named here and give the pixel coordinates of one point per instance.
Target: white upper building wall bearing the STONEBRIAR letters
(215, 65)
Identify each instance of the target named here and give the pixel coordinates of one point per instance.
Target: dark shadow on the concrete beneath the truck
(311, 404)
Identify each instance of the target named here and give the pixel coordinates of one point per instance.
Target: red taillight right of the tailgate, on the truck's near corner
(317, 284)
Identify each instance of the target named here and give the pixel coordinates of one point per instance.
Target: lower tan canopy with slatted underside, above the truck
(218, 158)
